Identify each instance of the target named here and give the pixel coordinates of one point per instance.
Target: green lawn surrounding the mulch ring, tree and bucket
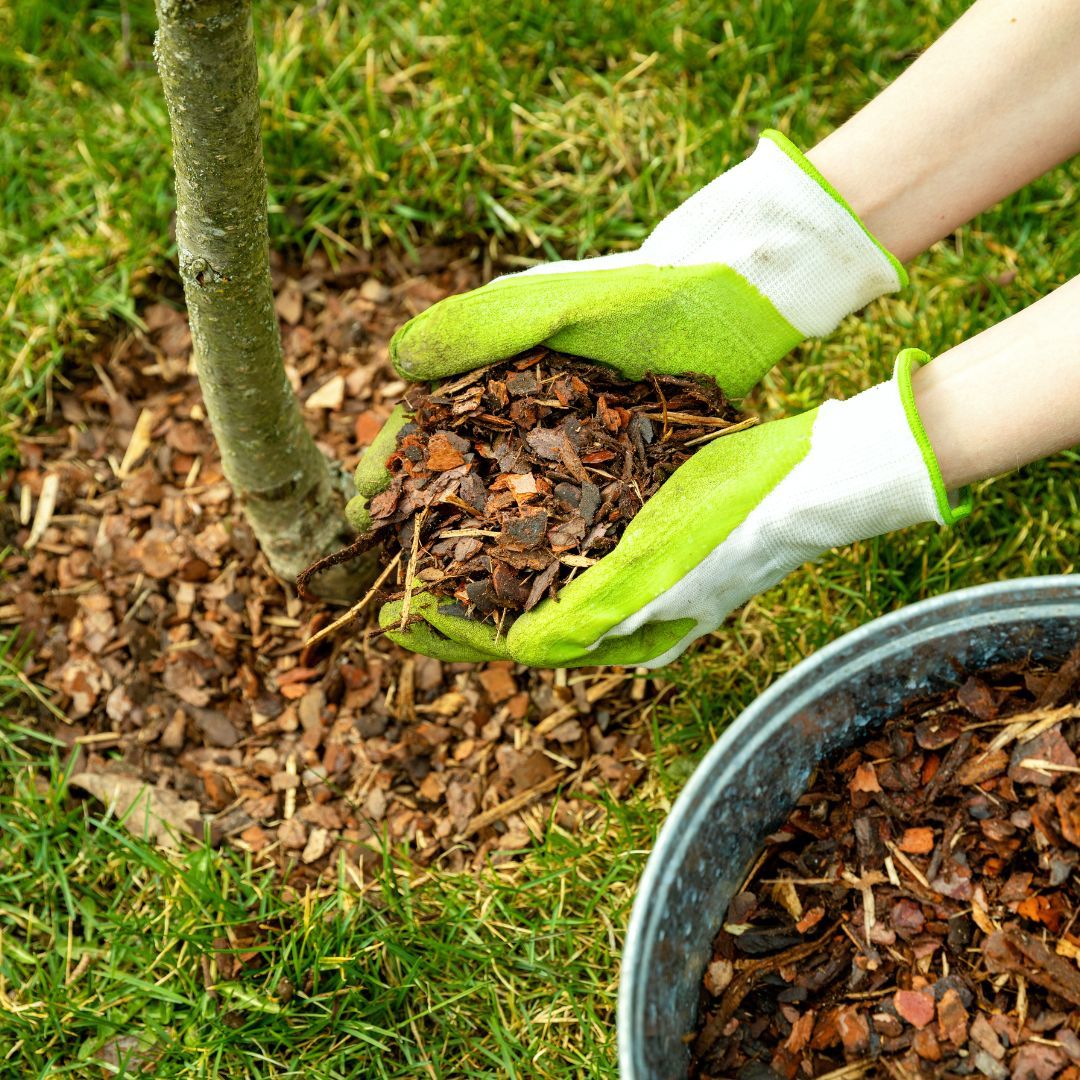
(533, 130)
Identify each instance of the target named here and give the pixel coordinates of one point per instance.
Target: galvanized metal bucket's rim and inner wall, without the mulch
(749, 781)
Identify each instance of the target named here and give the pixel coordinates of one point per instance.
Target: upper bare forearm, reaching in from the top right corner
(989, 107)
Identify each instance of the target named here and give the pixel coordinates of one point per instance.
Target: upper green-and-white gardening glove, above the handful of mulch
(761, 259)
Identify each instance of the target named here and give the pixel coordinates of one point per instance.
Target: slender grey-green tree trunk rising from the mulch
(206, 55)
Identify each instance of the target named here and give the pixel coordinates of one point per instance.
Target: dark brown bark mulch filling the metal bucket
(917, 915)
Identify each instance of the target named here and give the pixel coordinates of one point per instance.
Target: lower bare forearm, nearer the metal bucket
(1008, 397)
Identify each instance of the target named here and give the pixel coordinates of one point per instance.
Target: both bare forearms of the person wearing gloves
(984, 111)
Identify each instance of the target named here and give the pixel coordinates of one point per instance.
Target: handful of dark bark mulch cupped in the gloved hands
(511, 480)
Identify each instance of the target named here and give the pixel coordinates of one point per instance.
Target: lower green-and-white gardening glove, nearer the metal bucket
(732, 522)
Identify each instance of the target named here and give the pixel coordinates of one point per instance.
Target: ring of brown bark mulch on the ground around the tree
(174, 658)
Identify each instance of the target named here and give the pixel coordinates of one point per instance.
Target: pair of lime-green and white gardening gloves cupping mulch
(764, 256)
